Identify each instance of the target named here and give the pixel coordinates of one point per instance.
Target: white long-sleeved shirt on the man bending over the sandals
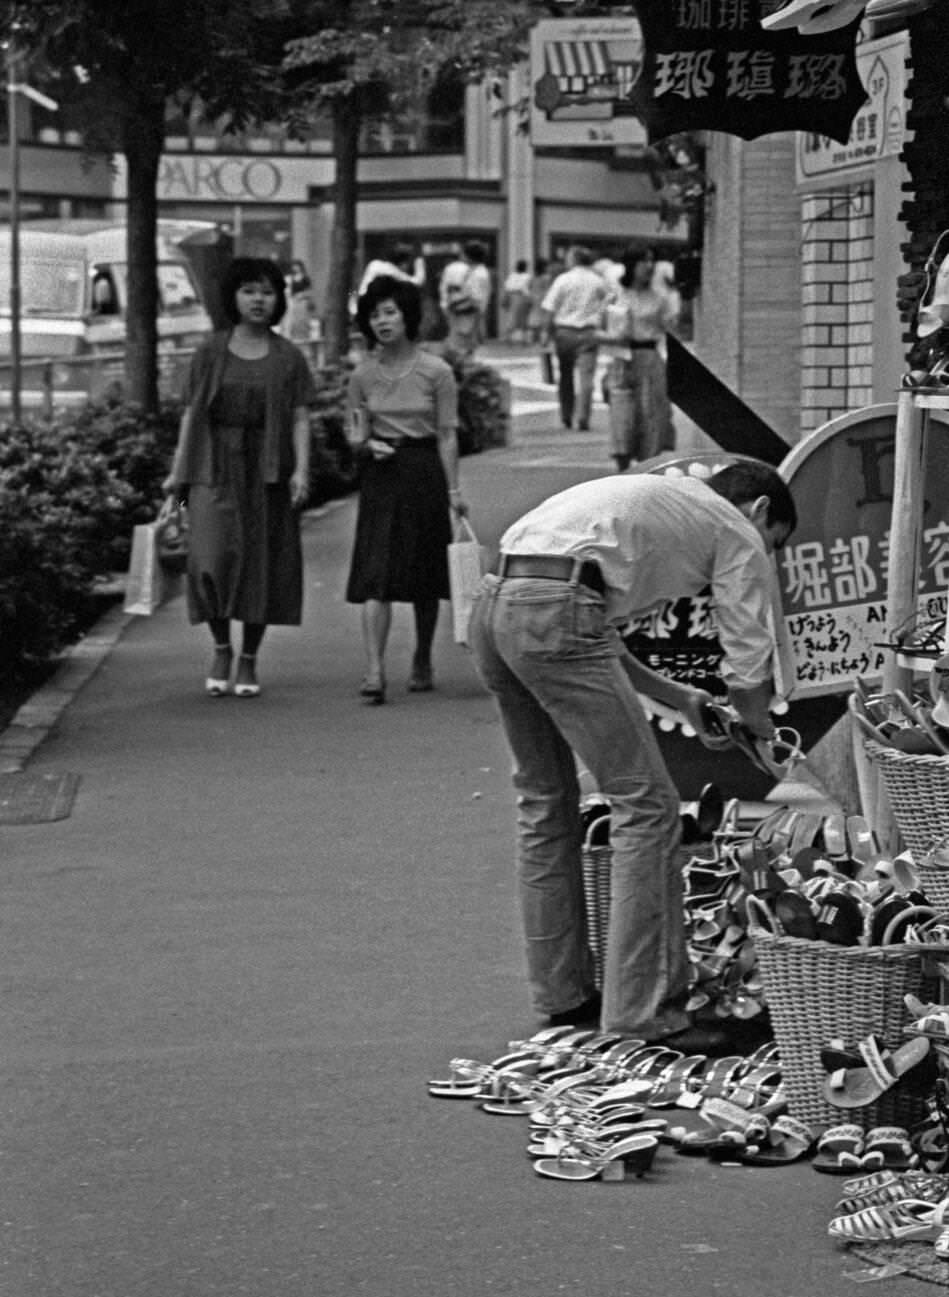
(658, 539)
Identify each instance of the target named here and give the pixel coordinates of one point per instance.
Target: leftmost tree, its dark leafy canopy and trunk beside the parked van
(120, 64)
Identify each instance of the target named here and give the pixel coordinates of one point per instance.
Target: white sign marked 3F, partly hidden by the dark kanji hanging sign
(880, 126)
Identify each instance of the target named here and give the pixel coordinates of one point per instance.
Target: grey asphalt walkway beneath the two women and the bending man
(229, 975)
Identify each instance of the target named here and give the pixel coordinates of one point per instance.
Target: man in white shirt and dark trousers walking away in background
(571, 316)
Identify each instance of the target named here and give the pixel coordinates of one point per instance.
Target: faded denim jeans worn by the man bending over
(556, 669)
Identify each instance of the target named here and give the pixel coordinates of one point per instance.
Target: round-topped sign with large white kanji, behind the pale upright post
(833, 571)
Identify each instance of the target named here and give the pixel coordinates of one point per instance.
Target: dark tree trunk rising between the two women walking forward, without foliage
(347, 154)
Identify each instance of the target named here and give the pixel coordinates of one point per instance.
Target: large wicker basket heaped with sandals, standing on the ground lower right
(817, 993)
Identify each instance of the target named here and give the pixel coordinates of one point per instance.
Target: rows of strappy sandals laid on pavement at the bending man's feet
(585, 1098)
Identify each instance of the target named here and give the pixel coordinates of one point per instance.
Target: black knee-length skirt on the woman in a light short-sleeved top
(400, 554)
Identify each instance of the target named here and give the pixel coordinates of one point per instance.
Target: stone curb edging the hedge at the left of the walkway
(41, 713)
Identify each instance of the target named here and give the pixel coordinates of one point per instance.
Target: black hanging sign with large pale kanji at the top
(711, 65)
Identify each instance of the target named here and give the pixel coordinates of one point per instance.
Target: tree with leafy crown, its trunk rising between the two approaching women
(369, 56)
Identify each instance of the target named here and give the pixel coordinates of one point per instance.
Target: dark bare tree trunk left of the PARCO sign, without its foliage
(143, 142)
